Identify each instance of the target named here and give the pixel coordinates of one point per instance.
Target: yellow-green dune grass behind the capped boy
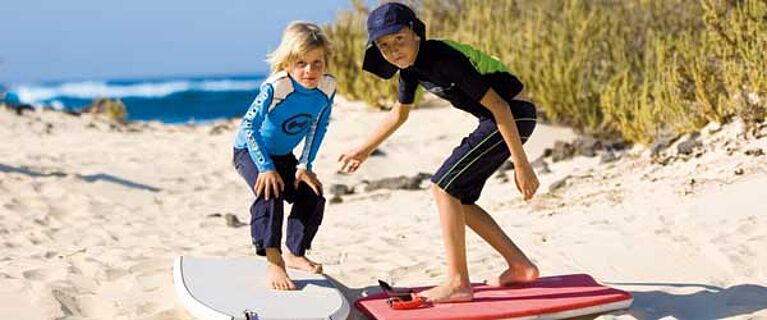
(635, 69)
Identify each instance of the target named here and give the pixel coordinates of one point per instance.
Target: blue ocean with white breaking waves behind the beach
(174, 100)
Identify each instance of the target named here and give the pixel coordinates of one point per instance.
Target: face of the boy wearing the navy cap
(400, 48)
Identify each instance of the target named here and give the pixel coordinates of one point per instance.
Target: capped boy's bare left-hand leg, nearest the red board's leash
(457, 288)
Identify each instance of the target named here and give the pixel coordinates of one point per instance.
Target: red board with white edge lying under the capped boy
(556, 297)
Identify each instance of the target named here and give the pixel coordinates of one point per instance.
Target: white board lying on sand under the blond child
(229, 289)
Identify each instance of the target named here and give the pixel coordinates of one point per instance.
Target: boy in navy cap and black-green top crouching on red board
(473, 82)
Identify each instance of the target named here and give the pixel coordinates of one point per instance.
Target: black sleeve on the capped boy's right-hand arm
(458, 70)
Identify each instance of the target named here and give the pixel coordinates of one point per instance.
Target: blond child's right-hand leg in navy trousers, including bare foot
(303, 222)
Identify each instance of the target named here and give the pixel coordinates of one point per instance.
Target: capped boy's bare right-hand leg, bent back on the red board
(521, 269)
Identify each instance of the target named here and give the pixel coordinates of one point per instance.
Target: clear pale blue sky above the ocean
(49, 40)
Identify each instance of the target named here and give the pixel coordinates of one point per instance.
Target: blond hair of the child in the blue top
(298, 39)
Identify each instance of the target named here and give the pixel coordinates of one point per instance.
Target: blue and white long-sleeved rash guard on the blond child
(283, 114)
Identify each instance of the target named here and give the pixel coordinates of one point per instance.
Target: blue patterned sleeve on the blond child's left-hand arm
(251, 123)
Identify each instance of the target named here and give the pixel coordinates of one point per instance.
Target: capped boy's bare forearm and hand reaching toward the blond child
(352, 159)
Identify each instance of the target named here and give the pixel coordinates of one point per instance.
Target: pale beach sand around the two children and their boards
(92, 215)
